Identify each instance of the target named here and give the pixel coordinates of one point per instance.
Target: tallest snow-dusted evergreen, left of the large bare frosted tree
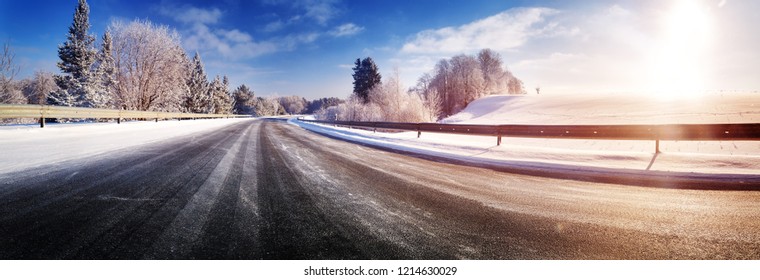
(77, 56)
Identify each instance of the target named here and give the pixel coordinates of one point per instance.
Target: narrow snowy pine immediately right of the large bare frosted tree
(197, 99)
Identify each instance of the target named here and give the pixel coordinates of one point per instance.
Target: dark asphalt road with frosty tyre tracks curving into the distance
(270, 190)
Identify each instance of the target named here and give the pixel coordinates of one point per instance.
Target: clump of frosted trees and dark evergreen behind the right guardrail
(444, 91)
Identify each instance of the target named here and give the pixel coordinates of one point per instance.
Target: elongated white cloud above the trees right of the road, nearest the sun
(504, 31)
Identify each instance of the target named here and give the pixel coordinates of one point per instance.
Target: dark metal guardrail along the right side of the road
(655, 132)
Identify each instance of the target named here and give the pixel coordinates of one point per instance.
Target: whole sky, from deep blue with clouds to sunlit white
(307, 47)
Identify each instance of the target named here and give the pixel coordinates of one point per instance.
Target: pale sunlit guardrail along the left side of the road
(41, 112)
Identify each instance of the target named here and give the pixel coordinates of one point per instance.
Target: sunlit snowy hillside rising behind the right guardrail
(611, 109)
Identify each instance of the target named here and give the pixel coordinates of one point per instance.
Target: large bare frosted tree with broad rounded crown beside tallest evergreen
(151, 66)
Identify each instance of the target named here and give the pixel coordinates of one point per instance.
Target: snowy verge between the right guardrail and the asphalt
(606, 154)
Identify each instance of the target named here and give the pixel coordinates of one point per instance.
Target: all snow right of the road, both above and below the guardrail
(689, 157)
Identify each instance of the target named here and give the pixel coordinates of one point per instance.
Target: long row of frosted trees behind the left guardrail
(136, 66)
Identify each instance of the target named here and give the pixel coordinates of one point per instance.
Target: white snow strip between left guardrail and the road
(27, 146)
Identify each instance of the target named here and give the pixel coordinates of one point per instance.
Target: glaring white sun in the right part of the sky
(679, 59)
